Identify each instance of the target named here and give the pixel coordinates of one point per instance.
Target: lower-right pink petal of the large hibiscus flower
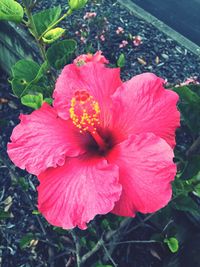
(146, 169)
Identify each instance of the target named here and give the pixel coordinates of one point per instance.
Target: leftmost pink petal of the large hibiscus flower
(43, 140)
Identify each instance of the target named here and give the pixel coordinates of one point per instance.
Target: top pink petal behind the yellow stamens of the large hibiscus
(99, 81)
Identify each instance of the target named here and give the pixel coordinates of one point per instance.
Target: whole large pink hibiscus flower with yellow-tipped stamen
(104, 146)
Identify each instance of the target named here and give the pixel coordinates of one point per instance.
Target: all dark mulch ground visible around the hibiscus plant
(49, 246)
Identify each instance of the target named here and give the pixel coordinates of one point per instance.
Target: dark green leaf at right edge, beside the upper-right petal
(189, 106)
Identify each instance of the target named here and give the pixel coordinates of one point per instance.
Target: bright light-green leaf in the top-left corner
(11, 10)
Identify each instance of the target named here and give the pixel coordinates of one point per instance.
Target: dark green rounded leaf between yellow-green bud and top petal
(60, 54)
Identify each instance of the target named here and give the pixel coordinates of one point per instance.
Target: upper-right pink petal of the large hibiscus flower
(143, 105)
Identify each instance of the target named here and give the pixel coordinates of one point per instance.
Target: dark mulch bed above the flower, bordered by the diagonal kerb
(157, 53)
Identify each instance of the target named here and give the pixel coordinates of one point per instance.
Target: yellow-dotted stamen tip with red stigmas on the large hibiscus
(84, 112)
